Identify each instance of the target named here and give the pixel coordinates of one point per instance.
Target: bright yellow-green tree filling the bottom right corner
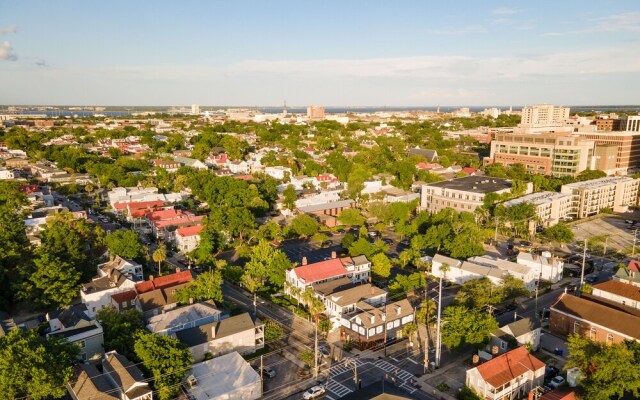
(610, 370)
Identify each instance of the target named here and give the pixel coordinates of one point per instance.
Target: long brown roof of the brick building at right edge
(602, 315)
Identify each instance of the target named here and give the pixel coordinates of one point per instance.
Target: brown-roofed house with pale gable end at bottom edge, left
(125, 377)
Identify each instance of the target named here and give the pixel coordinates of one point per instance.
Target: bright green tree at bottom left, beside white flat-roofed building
(166, 359)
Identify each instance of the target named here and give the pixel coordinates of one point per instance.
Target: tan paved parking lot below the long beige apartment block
(619, 232)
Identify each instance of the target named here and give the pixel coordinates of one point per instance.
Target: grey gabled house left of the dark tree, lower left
(73, 324)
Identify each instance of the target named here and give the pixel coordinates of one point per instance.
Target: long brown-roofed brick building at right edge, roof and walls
(599, 322)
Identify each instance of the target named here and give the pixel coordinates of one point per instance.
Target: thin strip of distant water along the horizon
(329, 110)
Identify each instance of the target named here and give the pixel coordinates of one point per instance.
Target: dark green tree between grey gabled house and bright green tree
(120, 328)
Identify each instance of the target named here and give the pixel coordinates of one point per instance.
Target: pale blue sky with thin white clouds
(333, 53)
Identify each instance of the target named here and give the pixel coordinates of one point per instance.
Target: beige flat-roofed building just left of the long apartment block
(551, 207)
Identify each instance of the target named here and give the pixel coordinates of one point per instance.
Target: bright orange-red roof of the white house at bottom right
(505, 368)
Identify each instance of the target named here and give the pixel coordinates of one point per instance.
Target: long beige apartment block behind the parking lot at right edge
(589, 197)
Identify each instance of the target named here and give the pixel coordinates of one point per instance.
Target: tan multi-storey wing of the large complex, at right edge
(626, 147)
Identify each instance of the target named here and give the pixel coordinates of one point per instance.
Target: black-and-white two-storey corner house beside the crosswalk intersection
(369, 326)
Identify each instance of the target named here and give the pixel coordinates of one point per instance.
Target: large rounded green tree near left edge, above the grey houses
(54, 282)
